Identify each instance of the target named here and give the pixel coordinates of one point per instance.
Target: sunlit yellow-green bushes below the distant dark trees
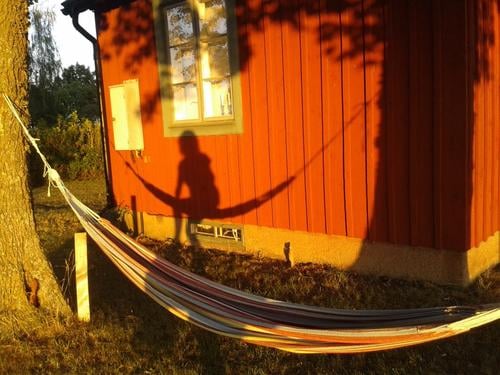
(72, 146)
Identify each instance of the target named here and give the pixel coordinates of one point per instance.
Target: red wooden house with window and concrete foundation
(360, 133)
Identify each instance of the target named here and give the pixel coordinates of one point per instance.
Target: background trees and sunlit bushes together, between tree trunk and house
(64, 107)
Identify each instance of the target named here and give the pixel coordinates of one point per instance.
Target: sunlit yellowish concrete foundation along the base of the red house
(442, 266)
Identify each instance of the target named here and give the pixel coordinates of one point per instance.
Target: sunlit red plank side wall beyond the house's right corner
(486, 151)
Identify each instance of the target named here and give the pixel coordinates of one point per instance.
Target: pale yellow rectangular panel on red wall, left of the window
(126, 115)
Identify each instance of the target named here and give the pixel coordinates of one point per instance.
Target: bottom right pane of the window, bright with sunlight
(217, 98)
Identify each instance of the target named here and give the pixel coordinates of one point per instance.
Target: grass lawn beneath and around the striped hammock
(131, 334)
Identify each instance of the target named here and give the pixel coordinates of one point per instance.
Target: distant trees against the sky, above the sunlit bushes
(54, 91)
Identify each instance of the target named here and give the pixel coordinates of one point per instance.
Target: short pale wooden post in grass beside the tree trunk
(82, 283)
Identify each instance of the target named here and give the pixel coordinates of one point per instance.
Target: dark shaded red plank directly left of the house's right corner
(450, 125)
